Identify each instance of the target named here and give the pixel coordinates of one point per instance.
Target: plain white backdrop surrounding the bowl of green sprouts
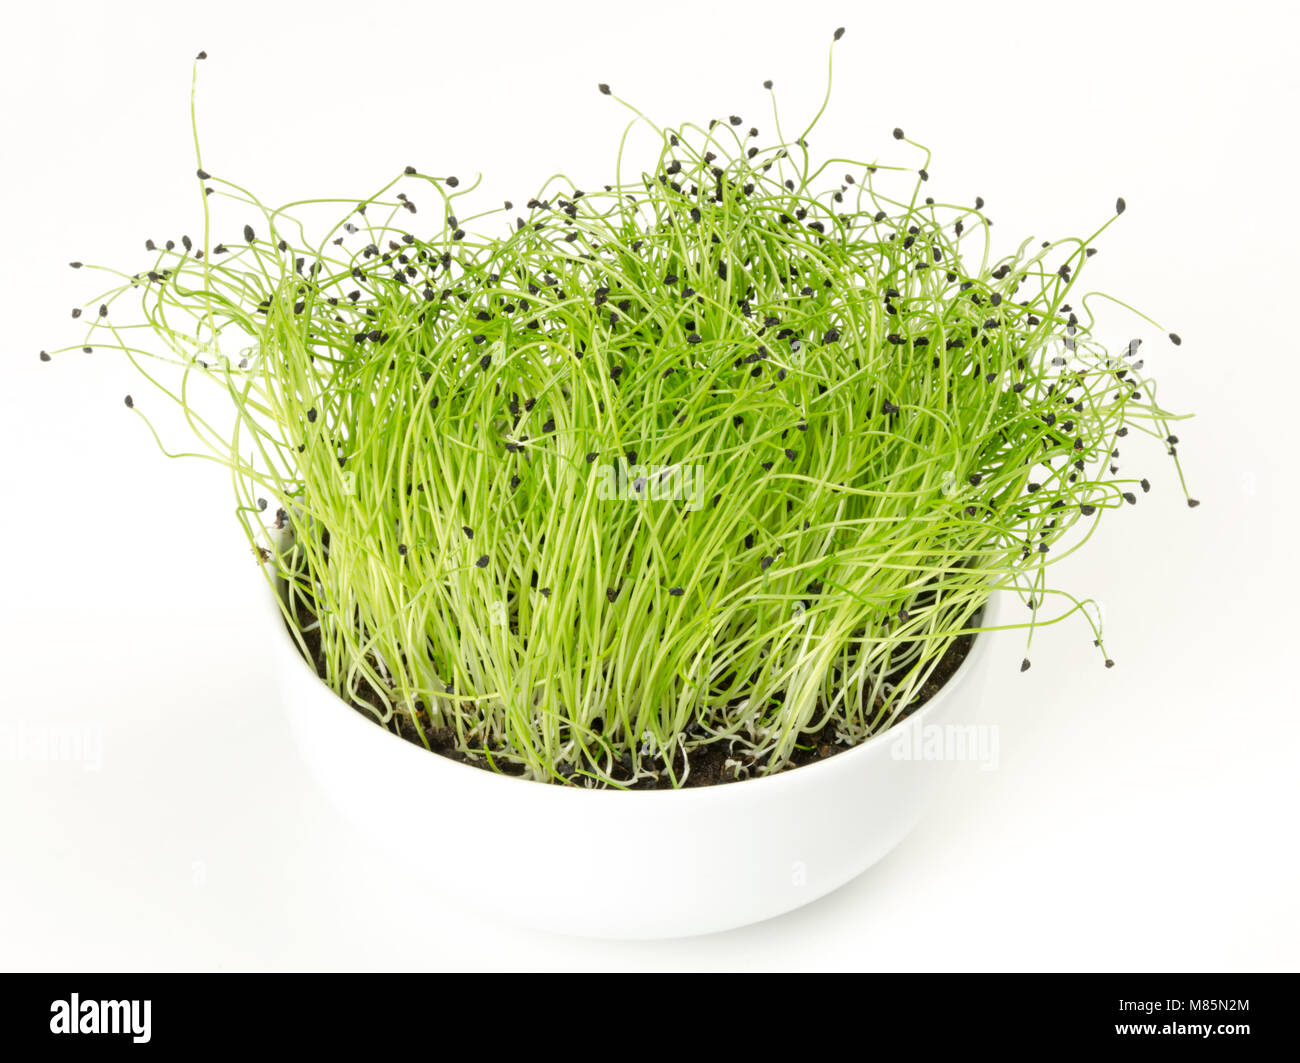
(1142, 818)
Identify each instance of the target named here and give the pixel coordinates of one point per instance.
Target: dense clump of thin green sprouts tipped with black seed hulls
(726, 454)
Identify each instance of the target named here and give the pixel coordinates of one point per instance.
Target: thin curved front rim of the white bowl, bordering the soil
(743, 789)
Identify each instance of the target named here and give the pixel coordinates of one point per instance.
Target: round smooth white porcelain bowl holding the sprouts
(626, 865)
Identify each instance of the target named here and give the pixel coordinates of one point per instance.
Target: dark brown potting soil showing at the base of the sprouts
(708, 763)
